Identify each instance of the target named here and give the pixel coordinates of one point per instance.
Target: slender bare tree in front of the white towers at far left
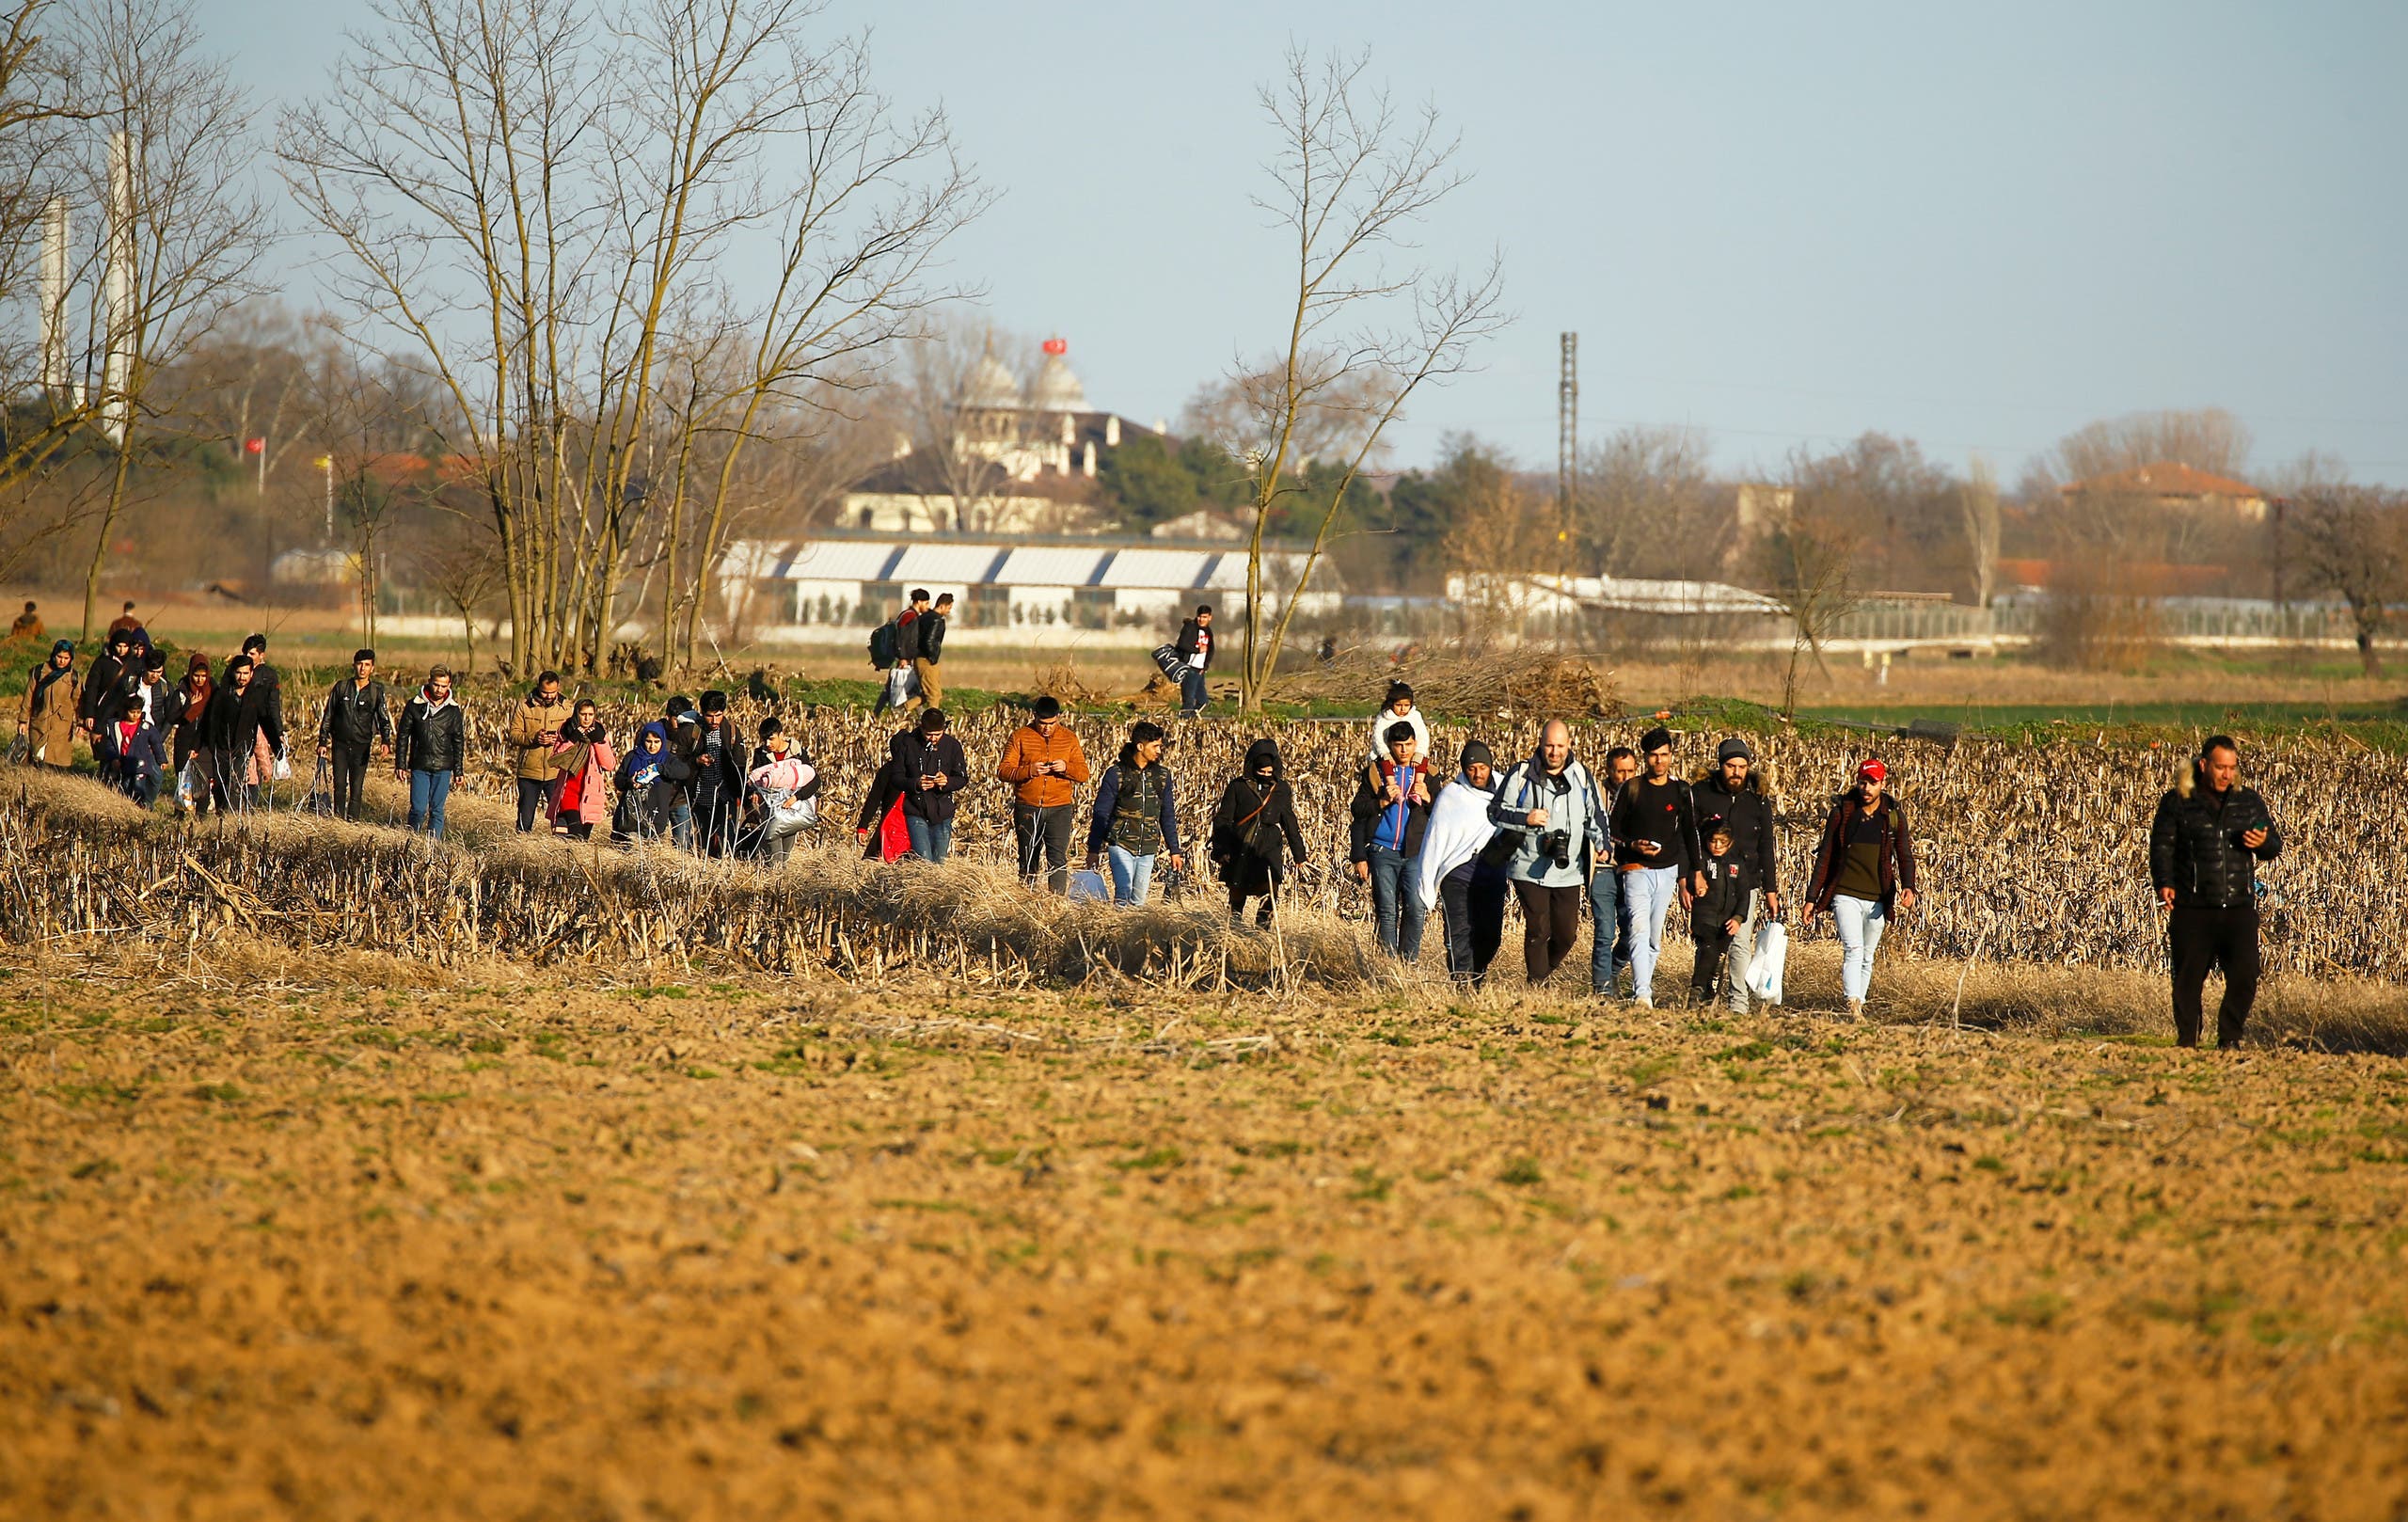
(170, 160)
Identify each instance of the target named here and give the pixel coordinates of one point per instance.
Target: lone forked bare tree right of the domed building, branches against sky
(1352, 179)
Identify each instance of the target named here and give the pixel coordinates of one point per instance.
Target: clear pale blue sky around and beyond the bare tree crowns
(1976, 228)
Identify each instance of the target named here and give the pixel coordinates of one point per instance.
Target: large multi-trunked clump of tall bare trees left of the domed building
(536, 194)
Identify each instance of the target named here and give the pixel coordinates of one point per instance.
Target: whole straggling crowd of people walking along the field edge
(1631, 842)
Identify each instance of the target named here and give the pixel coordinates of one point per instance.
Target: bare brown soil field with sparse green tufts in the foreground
(350, 1239)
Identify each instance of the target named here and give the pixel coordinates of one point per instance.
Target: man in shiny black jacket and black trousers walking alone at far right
(2202, 859)
